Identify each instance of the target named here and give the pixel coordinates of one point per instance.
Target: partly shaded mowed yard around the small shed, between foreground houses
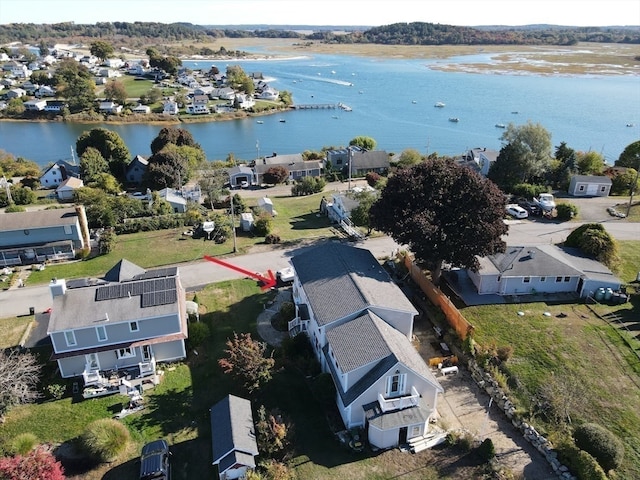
(178, 410)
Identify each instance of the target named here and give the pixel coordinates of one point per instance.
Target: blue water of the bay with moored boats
(391, 101)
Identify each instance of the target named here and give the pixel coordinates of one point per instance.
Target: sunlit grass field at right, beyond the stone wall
(580, 350)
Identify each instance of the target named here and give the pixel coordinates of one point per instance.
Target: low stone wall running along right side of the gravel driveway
(487, 383)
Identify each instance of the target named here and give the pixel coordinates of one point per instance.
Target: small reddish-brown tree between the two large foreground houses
(246, 360)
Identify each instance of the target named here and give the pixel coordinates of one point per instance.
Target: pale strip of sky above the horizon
(326, 12)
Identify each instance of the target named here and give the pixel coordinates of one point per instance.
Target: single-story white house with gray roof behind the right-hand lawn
(541, 269)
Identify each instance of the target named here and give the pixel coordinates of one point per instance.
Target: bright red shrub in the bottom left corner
(39, 464)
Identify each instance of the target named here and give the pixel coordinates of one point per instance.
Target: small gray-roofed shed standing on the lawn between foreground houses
(232, 429)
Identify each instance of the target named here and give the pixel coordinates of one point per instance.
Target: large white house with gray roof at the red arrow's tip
(360, 325)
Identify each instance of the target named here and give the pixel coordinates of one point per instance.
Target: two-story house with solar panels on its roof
(126, 322)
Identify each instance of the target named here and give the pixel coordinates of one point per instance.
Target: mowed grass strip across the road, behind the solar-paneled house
(297, 219)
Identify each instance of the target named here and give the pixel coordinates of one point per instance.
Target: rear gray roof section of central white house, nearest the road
(341, 280)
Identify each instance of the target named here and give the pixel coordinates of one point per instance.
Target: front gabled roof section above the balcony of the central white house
(350, 341)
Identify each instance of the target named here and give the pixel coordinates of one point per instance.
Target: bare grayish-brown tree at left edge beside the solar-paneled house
(19, 377)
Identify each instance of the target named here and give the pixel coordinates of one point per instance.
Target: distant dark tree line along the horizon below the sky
(415, 33)
